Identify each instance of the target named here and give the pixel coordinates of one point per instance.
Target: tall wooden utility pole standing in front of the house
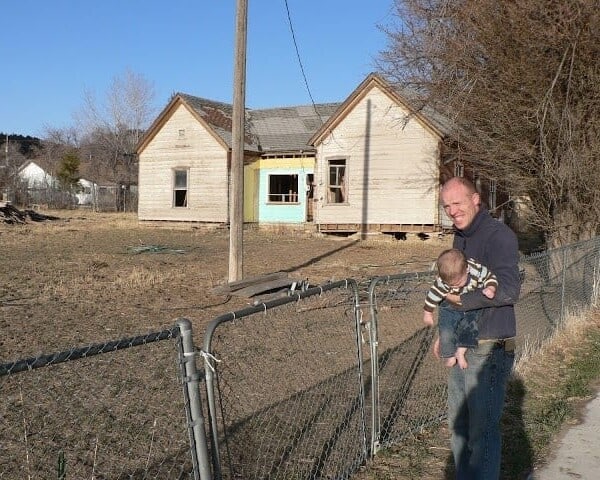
(236, 185)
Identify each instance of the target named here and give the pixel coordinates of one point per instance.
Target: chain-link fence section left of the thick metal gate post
(105, 411)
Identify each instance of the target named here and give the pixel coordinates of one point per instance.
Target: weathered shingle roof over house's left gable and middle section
(269, 130)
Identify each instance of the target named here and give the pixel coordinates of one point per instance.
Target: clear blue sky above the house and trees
(54, 51)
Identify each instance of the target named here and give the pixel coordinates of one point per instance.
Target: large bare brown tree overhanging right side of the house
(520, 82)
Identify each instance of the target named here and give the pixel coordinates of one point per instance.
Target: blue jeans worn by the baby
(457, 329)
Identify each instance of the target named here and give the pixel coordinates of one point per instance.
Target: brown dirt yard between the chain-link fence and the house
(88, 278)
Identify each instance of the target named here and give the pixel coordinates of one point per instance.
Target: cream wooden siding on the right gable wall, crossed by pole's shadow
(391, 167)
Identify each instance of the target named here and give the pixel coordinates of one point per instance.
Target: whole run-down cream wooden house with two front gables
(368, 164)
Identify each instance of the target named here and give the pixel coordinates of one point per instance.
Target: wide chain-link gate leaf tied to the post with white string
(285, 388)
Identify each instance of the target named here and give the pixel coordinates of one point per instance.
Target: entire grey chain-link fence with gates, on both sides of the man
(306, 386)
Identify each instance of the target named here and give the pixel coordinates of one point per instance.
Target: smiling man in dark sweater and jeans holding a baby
(476, 394)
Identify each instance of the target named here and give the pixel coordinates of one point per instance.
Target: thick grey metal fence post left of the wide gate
(199, 446)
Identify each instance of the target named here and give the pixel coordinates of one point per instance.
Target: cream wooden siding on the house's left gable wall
(201, 154)
